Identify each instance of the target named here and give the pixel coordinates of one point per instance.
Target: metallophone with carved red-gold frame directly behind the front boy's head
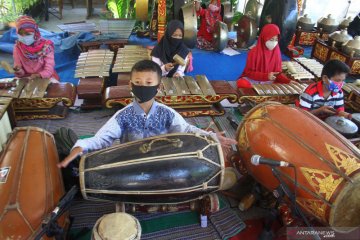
(189, 96)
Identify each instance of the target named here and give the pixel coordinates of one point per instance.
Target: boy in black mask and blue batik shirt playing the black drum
(143, 118)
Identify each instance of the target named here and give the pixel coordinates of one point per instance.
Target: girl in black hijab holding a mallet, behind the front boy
(171, 44)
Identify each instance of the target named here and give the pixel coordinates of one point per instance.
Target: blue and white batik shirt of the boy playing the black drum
(132, 123)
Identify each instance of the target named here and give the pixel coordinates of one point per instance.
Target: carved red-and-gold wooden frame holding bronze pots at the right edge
(324, 52)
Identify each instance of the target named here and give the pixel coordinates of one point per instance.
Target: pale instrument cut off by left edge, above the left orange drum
(7, 120)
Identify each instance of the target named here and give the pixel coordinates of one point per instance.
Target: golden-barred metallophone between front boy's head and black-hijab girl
(126, 59)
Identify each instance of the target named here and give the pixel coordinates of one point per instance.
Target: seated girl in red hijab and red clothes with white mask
(263, 65)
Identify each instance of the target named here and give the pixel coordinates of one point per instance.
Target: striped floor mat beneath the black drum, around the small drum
(177, 225)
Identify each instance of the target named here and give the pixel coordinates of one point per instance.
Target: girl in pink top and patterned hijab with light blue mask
(33, 55)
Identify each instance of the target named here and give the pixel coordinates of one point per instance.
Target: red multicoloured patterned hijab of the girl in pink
(40, 48)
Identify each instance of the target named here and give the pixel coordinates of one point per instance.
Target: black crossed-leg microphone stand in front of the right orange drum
(279, 193)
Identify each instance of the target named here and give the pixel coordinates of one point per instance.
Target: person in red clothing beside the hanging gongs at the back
(208, 17)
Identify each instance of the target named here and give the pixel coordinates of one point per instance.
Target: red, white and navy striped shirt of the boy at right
(313, 98)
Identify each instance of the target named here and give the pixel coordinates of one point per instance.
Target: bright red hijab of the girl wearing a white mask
(260, 58)
